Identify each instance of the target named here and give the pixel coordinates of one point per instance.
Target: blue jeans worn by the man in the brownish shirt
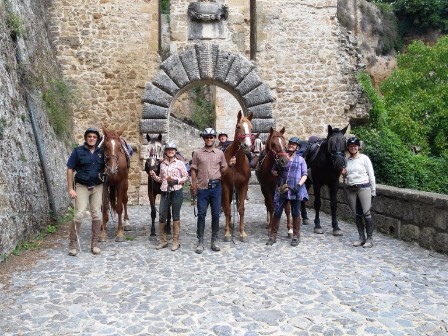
(205, 198)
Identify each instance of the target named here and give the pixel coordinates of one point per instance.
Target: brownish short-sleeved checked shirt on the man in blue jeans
(208, 164)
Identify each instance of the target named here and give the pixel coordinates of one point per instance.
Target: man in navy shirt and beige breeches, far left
(86, 165)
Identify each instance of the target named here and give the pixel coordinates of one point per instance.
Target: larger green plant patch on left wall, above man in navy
(58, 98)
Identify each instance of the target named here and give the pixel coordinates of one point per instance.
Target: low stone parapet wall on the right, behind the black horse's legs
(409, 215)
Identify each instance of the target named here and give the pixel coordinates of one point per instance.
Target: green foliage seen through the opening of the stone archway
(203, 113)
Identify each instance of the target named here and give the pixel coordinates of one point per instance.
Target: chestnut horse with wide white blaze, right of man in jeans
(235, 180)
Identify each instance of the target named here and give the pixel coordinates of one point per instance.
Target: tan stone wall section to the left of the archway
(108, 49)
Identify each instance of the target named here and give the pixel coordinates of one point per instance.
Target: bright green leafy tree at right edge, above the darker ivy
(416, 97)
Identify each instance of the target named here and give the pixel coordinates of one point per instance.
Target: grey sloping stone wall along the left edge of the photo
(24, 196)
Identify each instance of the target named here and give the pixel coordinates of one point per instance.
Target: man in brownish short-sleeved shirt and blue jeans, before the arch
(208, 164)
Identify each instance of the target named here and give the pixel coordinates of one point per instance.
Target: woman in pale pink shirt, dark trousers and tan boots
(173, 174)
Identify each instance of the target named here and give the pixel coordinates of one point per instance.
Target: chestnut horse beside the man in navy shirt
(115, 191)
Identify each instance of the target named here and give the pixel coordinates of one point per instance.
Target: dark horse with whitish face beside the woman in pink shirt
(154, 155)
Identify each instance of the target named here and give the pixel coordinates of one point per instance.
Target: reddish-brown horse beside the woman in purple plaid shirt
(274, 152)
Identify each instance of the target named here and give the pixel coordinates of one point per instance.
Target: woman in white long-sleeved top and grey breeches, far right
(361, 189)
